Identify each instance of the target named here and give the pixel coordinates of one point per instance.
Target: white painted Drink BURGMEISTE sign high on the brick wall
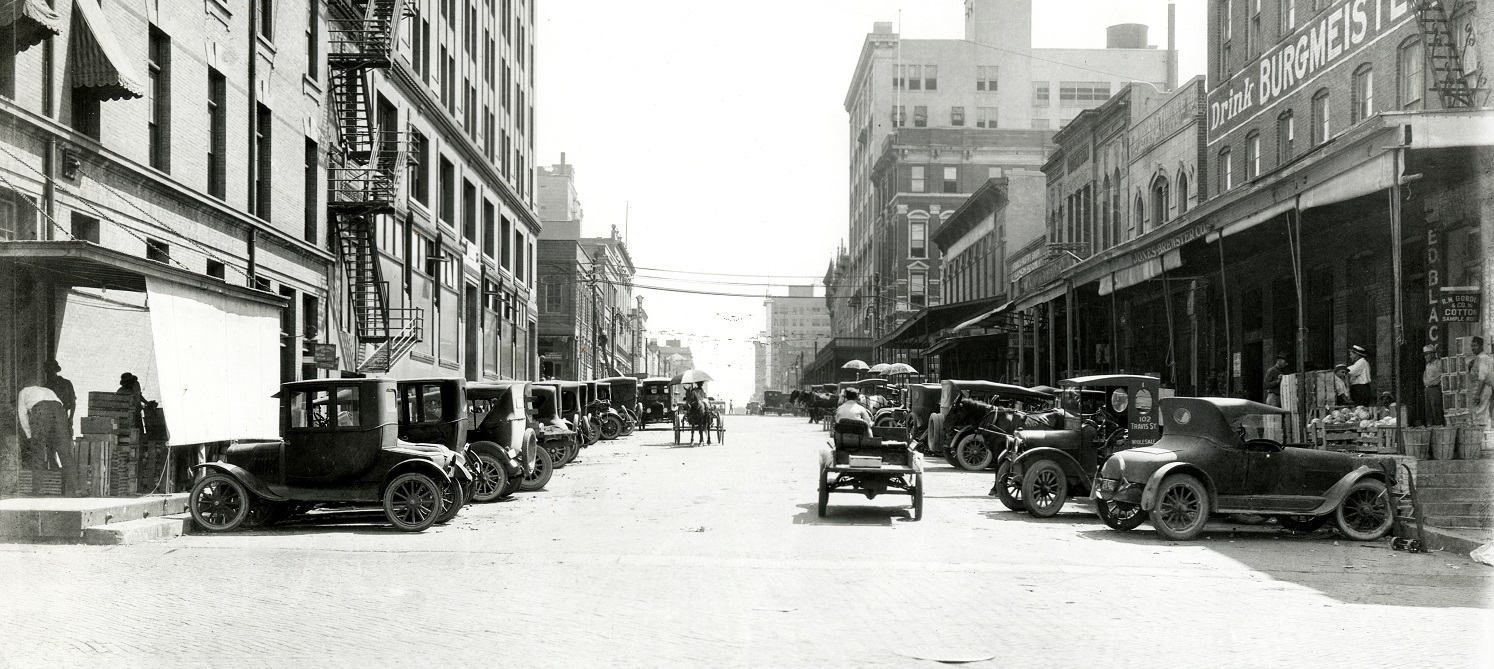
(1326, 41)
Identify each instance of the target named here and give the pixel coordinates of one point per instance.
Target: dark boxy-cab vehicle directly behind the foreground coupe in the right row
(1102, 414)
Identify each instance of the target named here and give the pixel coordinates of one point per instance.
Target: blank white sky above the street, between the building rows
(721, 128)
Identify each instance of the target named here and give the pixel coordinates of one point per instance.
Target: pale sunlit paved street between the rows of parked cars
(648, 555)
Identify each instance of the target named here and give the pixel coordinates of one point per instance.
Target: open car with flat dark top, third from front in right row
(978, 417)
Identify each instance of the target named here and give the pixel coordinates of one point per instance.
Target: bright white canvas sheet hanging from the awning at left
(217, 359)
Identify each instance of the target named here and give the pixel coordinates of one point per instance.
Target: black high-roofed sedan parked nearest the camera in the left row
(340, 446)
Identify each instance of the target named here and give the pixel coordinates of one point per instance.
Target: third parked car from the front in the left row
(501, 435)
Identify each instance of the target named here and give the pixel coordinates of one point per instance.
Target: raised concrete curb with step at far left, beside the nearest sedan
(32, 520)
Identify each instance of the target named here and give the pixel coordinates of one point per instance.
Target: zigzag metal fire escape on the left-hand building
(365, 183)
